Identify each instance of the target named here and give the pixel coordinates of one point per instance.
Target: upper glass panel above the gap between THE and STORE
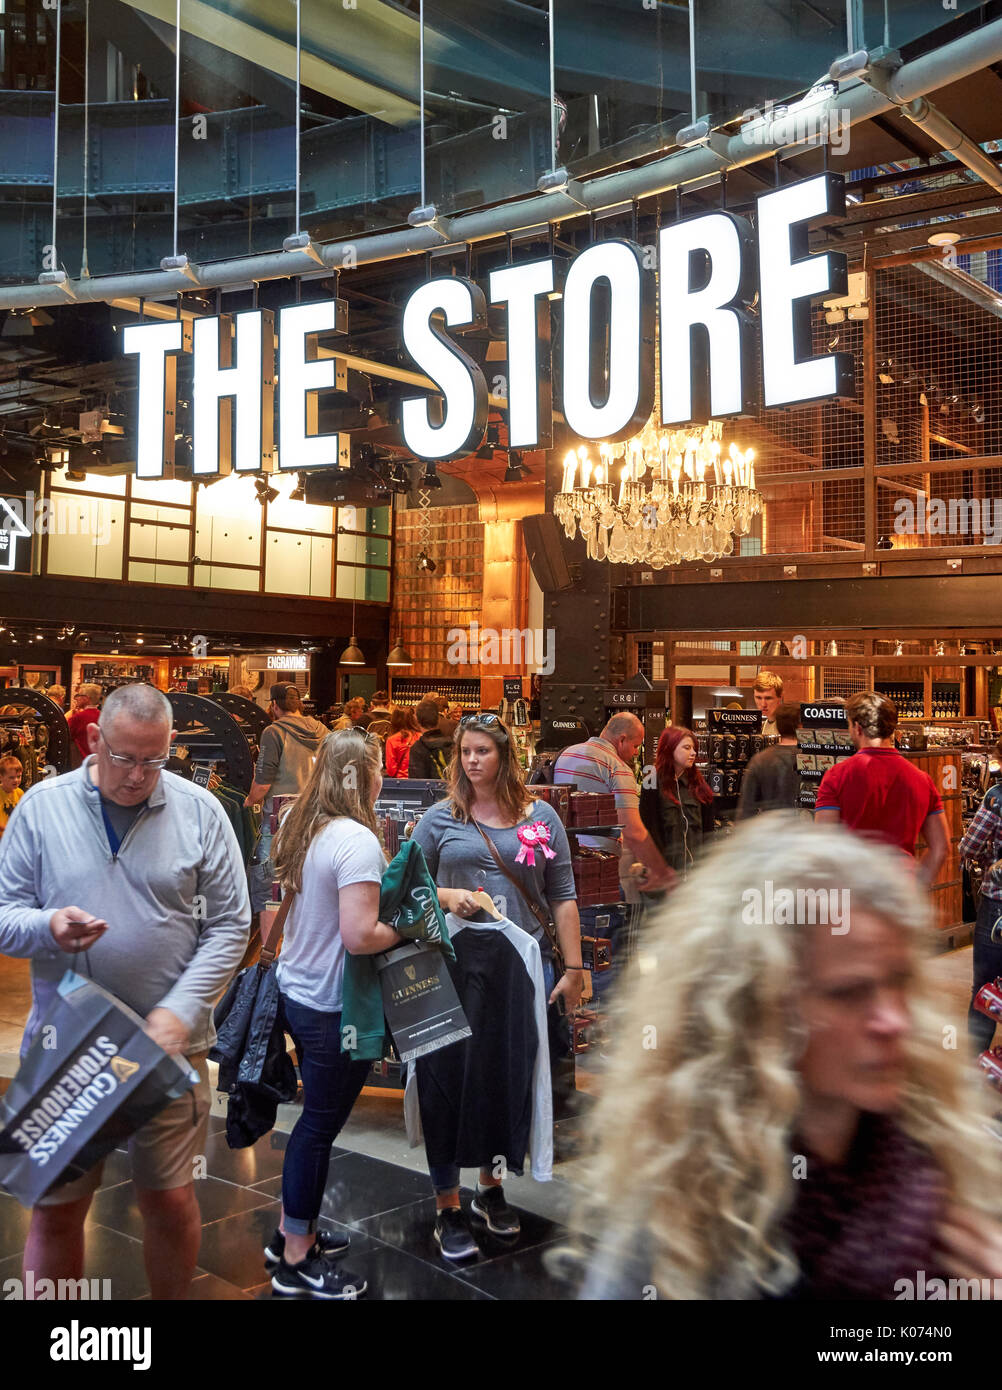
(361, 152)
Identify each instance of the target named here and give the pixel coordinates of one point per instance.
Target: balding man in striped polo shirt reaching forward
(605, 764)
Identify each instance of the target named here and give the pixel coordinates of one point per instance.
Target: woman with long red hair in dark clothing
(679, 811)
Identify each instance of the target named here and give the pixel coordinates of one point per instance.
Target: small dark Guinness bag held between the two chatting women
(419, 1001)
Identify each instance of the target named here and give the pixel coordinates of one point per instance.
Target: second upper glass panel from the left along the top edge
(116, 140)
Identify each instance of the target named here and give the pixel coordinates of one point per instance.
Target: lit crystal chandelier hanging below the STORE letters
(679, 497)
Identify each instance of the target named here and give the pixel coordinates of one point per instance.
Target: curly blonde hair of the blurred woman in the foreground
(700, 1106)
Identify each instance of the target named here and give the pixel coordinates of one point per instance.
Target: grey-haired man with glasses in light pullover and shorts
(142, 871)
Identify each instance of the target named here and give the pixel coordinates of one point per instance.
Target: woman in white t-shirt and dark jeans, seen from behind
(326, 853)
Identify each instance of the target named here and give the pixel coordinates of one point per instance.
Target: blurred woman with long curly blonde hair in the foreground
(780, 1093)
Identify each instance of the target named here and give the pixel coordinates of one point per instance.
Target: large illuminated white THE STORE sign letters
(709, 273)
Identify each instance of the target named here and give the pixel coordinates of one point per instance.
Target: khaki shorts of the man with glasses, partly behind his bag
(162, 1153)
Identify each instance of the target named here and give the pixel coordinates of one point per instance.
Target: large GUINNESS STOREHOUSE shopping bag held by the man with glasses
(90, 1081)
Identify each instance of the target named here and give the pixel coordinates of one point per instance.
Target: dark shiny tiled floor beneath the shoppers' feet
(386, 1210)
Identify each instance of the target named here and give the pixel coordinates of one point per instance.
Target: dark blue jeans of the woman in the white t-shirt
(331, 1086)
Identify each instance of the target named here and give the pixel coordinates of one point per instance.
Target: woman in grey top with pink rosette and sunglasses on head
(488, 797)
